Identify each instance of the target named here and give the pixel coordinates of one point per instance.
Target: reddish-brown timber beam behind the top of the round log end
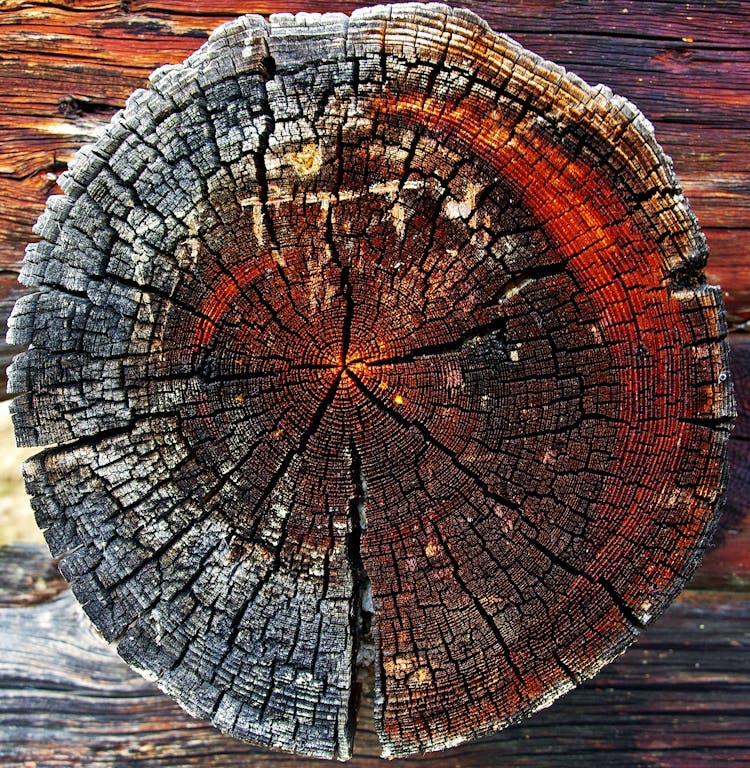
(65, 68)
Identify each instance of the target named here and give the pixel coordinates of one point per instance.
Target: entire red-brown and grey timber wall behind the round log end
(682, 696)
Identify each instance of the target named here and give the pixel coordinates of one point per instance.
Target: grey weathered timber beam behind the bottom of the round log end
(677, 699)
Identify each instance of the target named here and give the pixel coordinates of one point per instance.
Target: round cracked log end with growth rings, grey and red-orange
(371, 340)
